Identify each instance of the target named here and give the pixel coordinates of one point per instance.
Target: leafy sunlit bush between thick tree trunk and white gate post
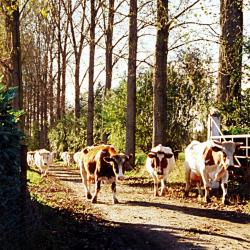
(188, 96)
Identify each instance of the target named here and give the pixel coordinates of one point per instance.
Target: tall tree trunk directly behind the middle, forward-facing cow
(160, 78)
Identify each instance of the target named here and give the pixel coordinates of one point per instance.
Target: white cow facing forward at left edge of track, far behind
(43, 159)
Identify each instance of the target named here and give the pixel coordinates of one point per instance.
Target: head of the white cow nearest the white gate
(223, 153)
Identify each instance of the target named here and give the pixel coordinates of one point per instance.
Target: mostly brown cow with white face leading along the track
(102, 164)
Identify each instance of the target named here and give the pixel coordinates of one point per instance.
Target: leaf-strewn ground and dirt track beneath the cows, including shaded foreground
(140, 220)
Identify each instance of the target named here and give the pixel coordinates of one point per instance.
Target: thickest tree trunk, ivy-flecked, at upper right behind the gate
(230, 52)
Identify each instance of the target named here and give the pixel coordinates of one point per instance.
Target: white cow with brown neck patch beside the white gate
(208, 162)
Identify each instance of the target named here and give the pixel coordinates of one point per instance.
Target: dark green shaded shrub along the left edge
(10, 179)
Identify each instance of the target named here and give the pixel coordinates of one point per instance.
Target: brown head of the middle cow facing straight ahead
(160, 161)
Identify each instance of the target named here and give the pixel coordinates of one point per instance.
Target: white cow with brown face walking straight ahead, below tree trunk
(159, 164)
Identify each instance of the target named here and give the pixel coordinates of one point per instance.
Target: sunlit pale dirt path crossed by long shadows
(168, 222)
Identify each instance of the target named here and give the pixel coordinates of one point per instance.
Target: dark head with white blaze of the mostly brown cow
(119, 162)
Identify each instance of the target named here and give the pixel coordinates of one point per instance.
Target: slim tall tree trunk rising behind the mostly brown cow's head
(131, 88)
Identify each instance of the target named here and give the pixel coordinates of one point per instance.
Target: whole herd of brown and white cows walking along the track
(206, 164)
